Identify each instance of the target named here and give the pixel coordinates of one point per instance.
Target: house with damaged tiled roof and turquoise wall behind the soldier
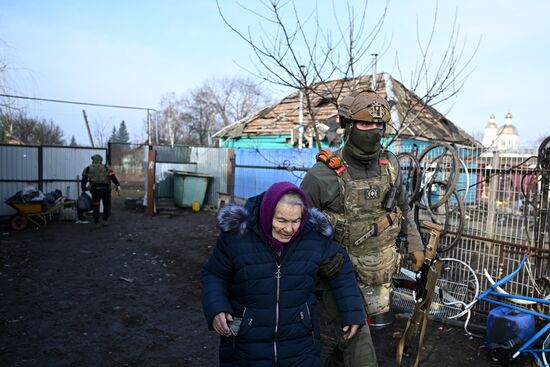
(289, 123)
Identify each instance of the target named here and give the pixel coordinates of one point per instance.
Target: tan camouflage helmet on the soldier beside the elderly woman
(363, 105)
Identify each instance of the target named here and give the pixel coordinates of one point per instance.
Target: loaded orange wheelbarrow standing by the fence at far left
(37, 213)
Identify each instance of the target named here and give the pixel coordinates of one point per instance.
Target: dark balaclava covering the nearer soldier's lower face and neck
(363, 145)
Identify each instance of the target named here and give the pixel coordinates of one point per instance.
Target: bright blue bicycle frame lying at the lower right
(492, 292)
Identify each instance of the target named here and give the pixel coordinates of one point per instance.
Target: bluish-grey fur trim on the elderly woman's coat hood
(236, 218)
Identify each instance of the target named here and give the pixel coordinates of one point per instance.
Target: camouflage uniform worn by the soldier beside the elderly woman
(352, 200)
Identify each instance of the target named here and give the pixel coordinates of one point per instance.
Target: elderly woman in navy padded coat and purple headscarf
(259, 283)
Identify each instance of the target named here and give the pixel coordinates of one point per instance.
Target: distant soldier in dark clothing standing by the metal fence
(99, 176)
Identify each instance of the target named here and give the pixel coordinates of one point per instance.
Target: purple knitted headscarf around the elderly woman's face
(267, 210)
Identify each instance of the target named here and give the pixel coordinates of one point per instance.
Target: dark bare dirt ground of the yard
(129, 295)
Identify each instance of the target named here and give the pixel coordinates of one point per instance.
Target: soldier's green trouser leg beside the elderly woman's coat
(357, 352)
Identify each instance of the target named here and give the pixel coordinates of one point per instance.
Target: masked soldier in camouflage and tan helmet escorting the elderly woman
(358, 187)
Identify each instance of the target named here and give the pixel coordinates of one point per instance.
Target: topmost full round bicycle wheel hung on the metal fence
(439, 162)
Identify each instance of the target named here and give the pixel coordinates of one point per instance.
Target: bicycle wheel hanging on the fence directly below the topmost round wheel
(450, 216)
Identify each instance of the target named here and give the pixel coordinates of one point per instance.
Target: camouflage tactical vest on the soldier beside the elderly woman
(362, 203)
